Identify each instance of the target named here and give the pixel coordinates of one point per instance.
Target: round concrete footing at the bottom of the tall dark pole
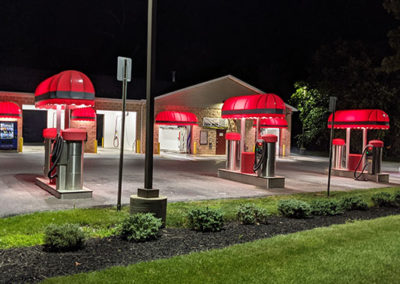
(155, 205)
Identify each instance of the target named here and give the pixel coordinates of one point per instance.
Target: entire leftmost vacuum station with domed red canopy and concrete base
(63, 167)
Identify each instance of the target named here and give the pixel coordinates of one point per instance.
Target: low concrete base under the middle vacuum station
(264, 182)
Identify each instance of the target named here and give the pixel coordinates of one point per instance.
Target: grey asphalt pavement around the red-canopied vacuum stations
(179, 177)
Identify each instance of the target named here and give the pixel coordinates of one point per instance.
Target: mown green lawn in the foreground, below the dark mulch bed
(358, 252)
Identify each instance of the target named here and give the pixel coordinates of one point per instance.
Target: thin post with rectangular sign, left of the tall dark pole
(124, 72)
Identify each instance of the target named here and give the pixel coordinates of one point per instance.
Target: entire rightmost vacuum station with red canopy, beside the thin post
(367, 165)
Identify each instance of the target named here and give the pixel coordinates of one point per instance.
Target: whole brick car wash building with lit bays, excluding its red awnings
(204, 100)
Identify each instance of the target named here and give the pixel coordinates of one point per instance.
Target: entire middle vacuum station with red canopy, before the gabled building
(258, 167)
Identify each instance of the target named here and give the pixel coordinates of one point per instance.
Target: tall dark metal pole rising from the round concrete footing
(150, 76)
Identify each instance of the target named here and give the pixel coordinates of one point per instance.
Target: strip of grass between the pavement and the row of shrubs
(27, 230)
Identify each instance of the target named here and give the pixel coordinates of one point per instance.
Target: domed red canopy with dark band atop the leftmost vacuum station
(66, 88)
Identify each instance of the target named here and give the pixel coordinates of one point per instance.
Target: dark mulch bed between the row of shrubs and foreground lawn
(33, 264)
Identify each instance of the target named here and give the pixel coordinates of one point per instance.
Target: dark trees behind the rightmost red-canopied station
(361, 75)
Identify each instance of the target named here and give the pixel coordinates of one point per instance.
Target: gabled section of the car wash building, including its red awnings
(203, 102)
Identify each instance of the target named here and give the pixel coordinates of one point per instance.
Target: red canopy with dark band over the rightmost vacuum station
(360, 118)
